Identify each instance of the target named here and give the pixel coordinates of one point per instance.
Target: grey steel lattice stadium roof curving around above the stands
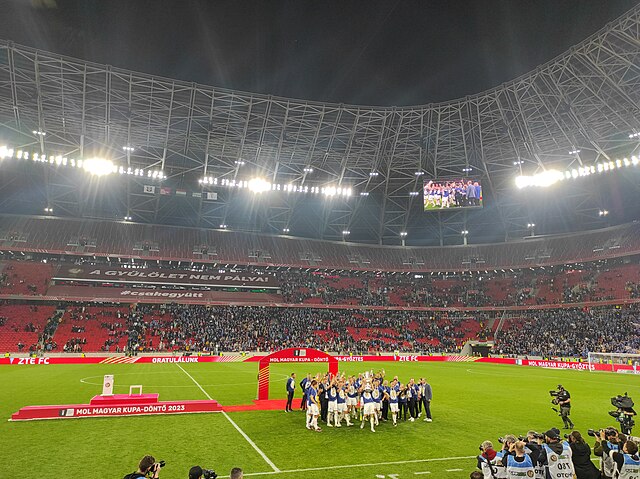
(578, 109)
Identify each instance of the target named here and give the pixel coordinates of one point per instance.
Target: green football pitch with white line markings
(472, 402)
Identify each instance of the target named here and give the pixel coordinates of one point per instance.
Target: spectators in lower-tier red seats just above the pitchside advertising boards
(568, 332)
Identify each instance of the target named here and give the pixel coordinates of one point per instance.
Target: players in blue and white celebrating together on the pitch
(367, 397)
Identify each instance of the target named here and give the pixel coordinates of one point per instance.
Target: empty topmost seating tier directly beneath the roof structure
(152, 242)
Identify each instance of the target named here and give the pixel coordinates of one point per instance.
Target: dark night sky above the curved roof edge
(363, 52)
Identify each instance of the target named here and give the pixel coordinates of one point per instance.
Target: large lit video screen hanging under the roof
(454, 193)
